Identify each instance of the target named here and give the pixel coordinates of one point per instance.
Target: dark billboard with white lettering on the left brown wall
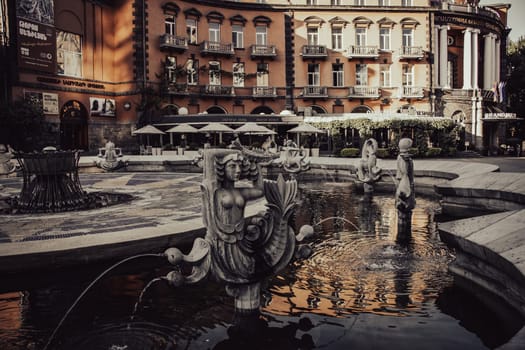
(37, 46)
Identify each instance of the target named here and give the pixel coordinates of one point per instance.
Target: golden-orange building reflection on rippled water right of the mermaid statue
(363, 271)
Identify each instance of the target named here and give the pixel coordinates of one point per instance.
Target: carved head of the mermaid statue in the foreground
(234, 166)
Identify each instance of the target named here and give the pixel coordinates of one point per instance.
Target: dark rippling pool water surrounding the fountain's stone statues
(359, 290)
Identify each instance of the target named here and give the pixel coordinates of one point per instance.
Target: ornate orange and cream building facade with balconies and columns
(100, 68)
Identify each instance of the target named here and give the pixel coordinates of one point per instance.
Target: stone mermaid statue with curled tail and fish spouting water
(237, 250)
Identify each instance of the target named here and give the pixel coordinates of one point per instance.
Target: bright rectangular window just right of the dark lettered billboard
(69, 54)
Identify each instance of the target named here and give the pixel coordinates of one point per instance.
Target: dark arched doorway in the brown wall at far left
(74, 126)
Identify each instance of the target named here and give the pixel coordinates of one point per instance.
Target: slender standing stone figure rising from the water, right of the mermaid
(405, 193)
